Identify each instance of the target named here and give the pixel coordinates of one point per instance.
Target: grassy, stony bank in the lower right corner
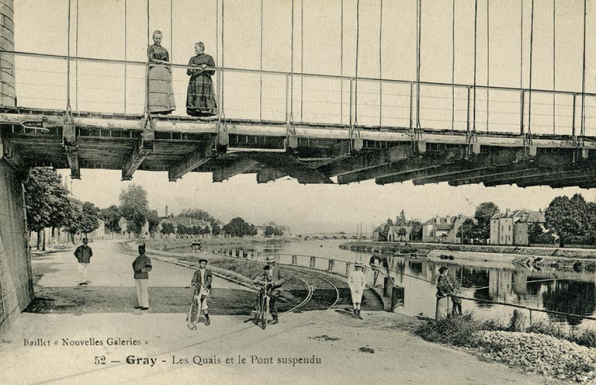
(543, 348)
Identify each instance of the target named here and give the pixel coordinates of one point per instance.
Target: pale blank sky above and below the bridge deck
(40, 26)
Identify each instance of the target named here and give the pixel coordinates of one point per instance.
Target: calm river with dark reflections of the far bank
(481, 276)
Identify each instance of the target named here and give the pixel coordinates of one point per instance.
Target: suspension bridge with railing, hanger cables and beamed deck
(309, 126)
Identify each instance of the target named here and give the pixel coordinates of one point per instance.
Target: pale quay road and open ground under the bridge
(94, 336)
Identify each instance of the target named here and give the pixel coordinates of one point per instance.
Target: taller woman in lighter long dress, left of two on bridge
(161, 94)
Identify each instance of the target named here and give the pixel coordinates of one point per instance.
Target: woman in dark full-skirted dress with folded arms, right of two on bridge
(200, 97)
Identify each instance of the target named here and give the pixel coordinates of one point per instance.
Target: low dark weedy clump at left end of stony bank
(457, 330)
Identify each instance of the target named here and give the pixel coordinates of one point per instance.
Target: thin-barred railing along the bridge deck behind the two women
(116, 86)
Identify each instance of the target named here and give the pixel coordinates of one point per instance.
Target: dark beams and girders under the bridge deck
(181, 145)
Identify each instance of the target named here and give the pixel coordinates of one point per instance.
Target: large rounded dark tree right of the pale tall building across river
(566, 218)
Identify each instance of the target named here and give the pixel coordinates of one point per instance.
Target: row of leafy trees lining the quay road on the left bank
(49, 204)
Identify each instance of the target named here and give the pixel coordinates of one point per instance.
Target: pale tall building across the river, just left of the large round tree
(511, 227)
